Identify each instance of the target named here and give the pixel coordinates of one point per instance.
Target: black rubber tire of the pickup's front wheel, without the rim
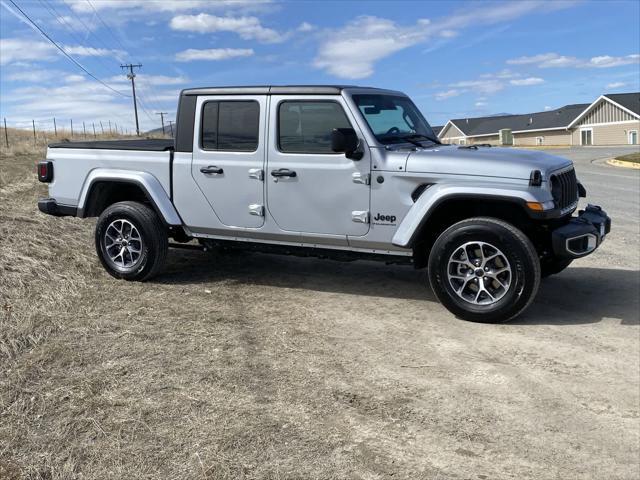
(514, 246)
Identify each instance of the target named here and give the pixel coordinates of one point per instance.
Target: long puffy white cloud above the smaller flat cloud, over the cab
(248, 28)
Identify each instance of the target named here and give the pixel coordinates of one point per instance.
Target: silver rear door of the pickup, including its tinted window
(228, 158)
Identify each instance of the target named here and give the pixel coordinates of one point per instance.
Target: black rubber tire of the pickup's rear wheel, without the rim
(154, 240)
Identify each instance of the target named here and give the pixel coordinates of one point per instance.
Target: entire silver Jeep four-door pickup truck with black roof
(332, 171)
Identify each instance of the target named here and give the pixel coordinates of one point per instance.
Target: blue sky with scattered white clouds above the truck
(455, 59)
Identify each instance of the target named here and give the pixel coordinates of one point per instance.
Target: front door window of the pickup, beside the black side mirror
(306, 126)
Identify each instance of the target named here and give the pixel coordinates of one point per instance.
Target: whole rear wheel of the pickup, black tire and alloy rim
(131, 241)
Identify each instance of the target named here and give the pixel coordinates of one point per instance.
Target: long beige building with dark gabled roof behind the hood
(612, 119)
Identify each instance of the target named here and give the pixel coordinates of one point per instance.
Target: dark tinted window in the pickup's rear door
(230, 126)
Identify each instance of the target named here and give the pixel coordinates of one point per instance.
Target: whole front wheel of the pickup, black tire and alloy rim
(484, 270)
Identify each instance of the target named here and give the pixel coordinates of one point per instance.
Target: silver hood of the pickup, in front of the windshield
(485, 161)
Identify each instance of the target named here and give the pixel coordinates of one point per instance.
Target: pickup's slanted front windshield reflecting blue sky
(394, 119)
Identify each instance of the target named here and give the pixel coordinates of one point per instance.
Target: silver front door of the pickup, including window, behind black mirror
(322, 192)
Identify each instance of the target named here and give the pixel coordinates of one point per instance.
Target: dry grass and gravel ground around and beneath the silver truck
(258, 366)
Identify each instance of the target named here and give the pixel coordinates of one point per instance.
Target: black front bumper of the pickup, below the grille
(582, 235)
